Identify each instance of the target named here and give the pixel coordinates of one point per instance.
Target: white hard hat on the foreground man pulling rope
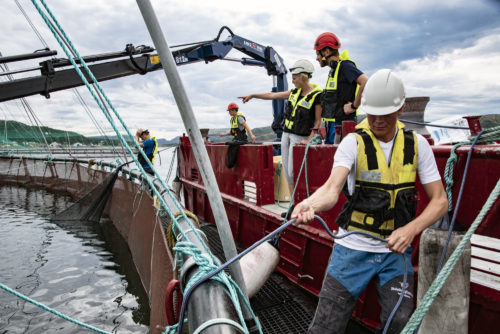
(384, 94)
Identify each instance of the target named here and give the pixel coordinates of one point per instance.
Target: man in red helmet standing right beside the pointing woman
(342, 94)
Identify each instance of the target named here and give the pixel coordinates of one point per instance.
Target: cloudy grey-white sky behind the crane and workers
(449, 51)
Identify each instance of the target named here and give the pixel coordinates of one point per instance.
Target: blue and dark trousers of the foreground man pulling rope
(348, 274)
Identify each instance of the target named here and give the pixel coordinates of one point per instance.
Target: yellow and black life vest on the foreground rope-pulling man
(384, 197)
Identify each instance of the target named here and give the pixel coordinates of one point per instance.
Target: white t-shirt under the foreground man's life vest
(346, 157)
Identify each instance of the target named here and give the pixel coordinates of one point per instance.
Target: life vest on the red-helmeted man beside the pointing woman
(330, 101)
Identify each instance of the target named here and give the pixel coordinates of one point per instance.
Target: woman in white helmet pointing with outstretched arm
(302, 117)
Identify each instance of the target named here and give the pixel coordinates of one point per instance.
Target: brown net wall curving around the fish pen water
(130, 208)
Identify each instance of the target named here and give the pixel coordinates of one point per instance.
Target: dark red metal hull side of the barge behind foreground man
(305, 250)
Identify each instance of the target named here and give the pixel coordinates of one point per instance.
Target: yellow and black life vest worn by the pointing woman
(299, 117)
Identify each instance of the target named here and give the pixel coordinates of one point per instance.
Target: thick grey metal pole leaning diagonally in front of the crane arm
(196, 139)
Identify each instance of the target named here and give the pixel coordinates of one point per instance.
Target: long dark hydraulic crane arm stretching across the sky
(57, 75)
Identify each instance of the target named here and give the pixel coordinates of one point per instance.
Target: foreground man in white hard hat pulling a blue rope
(380, 162)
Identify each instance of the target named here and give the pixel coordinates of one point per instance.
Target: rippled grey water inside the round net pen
(80, 269)
